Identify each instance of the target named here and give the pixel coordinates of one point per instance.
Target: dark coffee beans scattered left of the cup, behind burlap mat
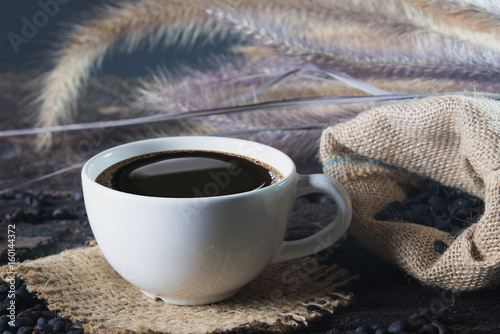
(44, 223)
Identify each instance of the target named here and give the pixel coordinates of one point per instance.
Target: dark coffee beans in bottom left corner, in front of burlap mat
(30, 315)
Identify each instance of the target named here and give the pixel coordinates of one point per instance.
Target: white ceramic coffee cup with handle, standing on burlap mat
(190, 251)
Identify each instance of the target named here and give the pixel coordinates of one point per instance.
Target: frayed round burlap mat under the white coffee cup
(83, 286)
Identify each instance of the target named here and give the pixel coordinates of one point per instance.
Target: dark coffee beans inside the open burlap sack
(447, 209)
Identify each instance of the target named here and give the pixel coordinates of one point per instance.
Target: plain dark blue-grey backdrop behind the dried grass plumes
(34, 46)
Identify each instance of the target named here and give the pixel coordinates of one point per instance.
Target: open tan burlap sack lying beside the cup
(454, 140)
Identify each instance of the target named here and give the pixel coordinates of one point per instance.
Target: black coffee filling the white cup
(188, 173)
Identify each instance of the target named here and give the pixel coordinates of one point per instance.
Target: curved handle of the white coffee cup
(319, 183)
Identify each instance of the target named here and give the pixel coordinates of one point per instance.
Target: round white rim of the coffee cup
(107, 152)
